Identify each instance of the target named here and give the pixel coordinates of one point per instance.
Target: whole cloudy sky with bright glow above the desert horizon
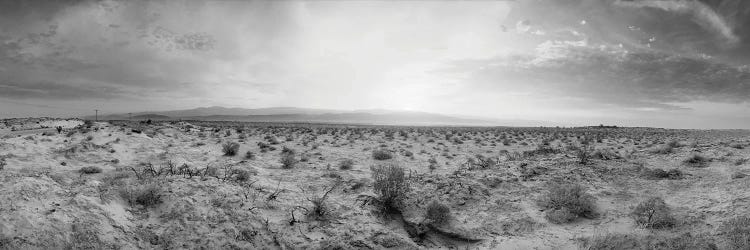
(664, 63)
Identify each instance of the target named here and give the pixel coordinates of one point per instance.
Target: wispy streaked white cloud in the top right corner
(692, 27)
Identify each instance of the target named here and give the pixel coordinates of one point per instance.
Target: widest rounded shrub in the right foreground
(566, 202)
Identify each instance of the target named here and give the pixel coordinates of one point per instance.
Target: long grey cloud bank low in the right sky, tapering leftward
(609, 75)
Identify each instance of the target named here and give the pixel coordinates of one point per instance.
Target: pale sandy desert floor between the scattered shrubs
(46, 203)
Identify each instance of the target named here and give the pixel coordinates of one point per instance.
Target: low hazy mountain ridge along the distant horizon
(294, 114)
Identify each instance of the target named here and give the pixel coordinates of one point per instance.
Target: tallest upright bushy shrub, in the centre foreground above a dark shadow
(390, 183)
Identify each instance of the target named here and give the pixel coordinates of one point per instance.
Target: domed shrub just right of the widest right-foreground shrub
(653, 213)
